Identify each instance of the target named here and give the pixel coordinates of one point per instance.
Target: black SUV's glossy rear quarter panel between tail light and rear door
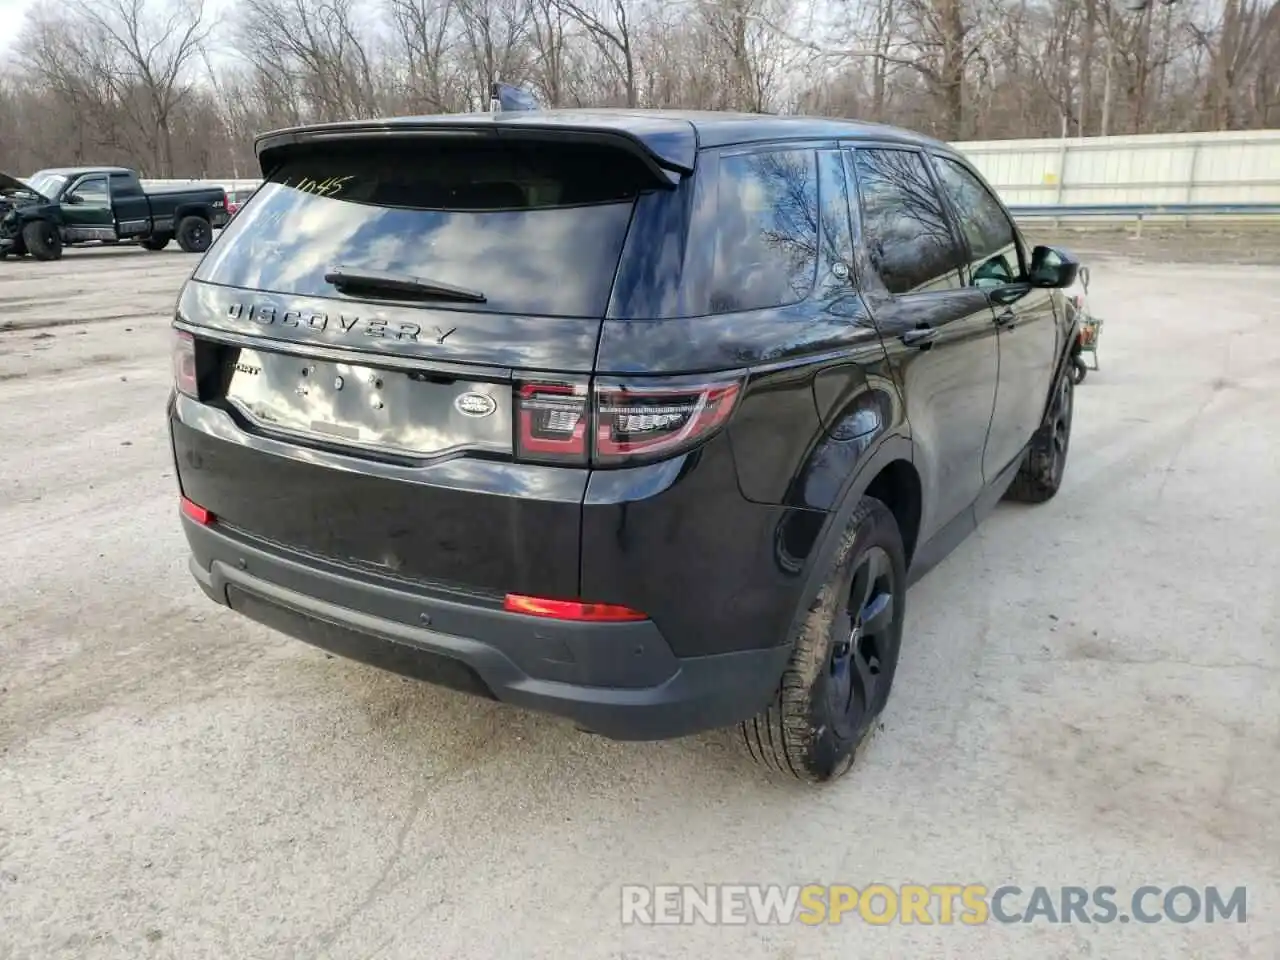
(819, 409)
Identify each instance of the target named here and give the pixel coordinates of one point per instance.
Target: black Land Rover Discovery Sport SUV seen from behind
(643, 419)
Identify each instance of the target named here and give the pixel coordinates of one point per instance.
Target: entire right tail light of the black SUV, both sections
(619, 424)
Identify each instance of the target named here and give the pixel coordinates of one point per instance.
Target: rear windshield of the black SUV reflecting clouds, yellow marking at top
(536, 228)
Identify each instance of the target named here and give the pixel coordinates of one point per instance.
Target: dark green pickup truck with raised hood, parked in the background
(60, 208)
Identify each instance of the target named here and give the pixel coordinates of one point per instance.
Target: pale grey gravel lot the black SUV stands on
(1089, 694)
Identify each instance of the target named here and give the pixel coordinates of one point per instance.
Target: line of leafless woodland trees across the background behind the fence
(150, 84)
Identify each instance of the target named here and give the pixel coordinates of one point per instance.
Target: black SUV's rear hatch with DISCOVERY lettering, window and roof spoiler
(391, 351)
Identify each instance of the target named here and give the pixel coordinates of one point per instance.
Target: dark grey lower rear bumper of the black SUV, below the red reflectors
(619, 680)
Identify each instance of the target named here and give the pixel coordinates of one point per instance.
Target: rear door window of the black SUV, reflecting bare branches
(907, 234)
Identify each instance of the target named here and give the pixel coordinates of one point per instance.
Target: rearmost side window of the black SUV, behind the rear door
(766, 248)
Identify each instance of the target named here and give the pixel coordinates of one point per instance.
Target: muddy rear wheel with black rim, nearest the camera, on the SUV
(844, 657)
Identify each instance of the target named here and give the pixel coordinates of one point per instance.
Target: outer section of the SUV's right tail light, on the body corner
(652, 423)
